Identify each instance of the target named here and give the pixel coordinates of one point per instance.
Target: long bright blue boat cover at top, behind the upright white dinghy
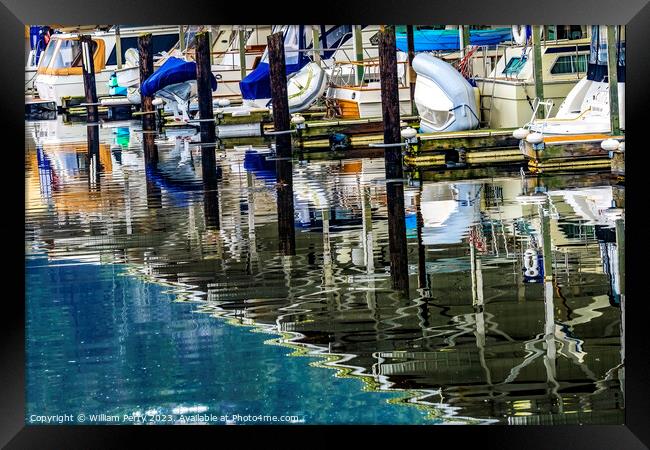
(429, 40)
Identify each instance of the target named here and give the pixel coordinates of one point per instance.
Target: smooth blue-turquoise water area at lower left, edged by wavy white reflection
(101, 341)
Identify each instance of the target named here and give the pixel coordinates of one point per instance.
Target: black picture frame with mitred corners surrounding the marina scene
(634, 14)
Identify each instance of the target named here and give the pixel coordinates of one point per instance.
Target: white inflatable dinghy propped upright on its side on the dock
(444, 98)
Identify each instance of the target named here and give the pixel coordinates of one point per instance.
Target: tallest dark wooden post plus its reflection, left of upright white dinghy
(393, 157)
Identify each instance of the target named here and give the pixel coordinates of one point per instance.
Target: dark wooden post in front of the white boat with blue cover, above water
(279, 96)
